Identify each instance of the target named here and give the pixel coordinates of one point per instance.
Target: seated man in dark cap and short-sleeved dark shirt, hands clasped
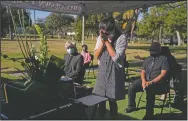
(153, 80)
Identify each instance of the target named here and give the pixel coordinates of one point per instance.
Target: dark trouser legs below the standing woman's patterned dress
(113, 109)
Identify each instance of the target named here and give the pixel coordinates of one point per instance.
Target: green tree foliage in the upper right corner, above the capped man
(168, 18)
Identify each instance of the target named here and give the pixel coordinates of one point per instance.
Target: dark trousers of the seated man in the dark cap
(151, 91)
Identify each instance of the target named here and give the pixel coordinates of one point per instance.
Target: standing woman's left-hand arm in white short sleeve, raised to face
(98, 48)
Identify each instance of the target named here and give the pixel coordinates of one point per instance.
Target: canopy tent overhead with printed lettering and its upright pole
(82, 7)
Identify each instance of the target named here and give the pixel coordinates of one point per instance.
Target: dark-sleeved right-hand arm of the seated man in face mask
(78, 70)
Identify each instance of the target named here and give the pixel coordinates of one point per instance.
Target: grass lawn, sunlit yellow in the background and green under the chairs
(11, 48)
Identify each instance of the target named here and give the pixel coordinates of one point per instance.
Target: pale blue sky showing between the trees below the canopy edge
(44, 14)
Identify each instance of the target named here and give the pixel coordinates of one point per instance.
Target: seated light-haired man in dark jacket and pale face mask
(74, 63)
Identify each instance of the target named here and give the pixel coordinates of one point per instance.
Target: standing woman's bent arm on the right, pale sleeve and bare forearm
(120, 48)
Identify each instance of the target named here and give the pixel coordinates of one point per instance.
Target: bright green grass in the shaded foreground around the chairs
(122, 104)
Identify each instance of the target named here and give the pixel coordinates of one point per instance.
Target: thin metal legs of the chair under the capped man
(163, 101)
